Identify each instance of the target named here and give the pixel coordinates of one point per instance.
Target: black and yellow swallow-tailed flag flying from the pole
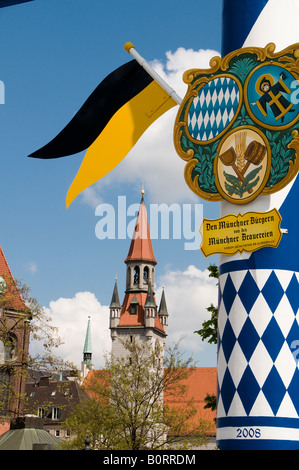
(109, 124)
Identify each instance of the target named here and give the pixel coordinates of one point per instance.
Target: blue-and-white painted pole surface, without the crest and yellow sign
(258, 376)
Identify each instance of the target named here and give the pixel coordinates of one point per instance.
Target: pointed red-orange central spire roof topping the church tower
(141, 248)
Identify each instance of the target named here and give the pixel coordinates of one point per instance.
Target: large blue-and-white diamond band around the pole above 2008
(258, 374)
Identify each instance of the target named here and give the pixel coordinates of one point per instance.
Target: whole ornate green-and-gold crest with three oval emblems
(238, 125)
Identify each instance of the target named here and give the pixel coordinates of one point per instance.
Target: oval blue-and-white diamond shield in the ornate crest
(213, 109)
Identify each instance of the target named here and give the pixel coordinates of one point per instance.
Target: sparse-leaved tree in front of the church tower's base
(128, 411)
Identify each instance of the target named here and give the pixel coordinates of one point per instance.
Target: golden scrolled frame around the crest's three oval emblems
(197, 78)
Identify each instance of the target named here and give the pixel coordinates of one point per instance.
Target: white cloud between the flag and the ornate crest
(153, 161)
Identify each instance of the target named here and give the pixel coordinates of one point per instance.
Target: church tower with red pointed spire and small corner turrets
(139, 316)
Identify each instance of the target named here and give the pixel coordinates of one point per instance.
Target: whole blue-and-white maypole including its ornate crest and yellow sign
(237, 128)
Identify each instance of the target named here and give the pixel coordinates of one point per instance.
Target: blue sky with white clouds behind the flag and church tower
(53, 55)
